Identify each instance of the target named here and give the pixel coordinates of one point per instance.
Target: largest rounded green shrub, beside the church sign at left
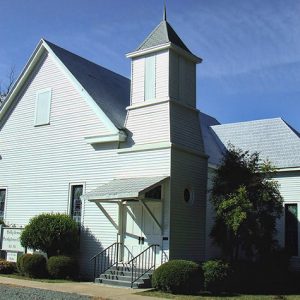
(54, 234)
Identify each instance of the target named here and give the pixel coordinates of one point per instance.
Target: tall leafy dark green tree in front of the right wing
(247, 203)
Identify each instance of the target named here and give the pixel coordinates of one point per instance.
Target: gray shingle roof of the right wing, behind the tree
(274, 139)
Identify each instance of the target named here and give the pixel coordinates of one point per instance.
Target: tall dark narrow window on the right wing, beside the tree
(291, 229)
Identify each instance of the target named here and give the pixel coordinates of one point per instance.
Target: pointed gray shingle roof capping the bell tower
(162, 34)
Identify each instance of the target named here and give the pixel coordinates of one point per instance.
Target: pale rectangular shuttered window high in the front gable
(42, 107)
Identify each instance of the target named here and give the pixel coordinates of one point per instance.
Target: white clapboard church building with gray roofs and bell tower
(130, 160)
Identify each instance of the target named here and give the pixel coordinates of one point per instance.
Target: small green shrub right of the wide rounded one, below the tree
(216, 273)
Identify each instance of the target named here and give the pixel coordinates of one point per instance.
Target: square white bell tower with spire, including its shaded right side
(163, 114)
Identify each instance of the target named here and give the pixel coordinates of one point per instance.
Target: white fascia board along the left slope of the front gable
(37, 53)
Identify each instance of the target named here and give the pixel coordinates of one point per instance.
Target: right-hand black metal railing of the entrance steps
(143, 263)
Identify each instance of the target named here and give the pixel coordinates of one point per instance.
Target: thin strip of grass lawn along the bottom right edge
(224, 297)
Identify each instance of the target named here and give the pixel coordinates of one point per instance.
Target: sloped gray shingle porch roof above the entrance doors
(124, 188)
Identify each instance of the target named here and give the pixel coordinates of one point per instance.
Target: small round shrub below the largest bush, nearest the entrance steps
(62, 267)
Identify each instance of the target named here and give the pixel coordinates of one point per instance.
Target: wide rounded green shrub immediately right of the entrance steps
(178, 276)
